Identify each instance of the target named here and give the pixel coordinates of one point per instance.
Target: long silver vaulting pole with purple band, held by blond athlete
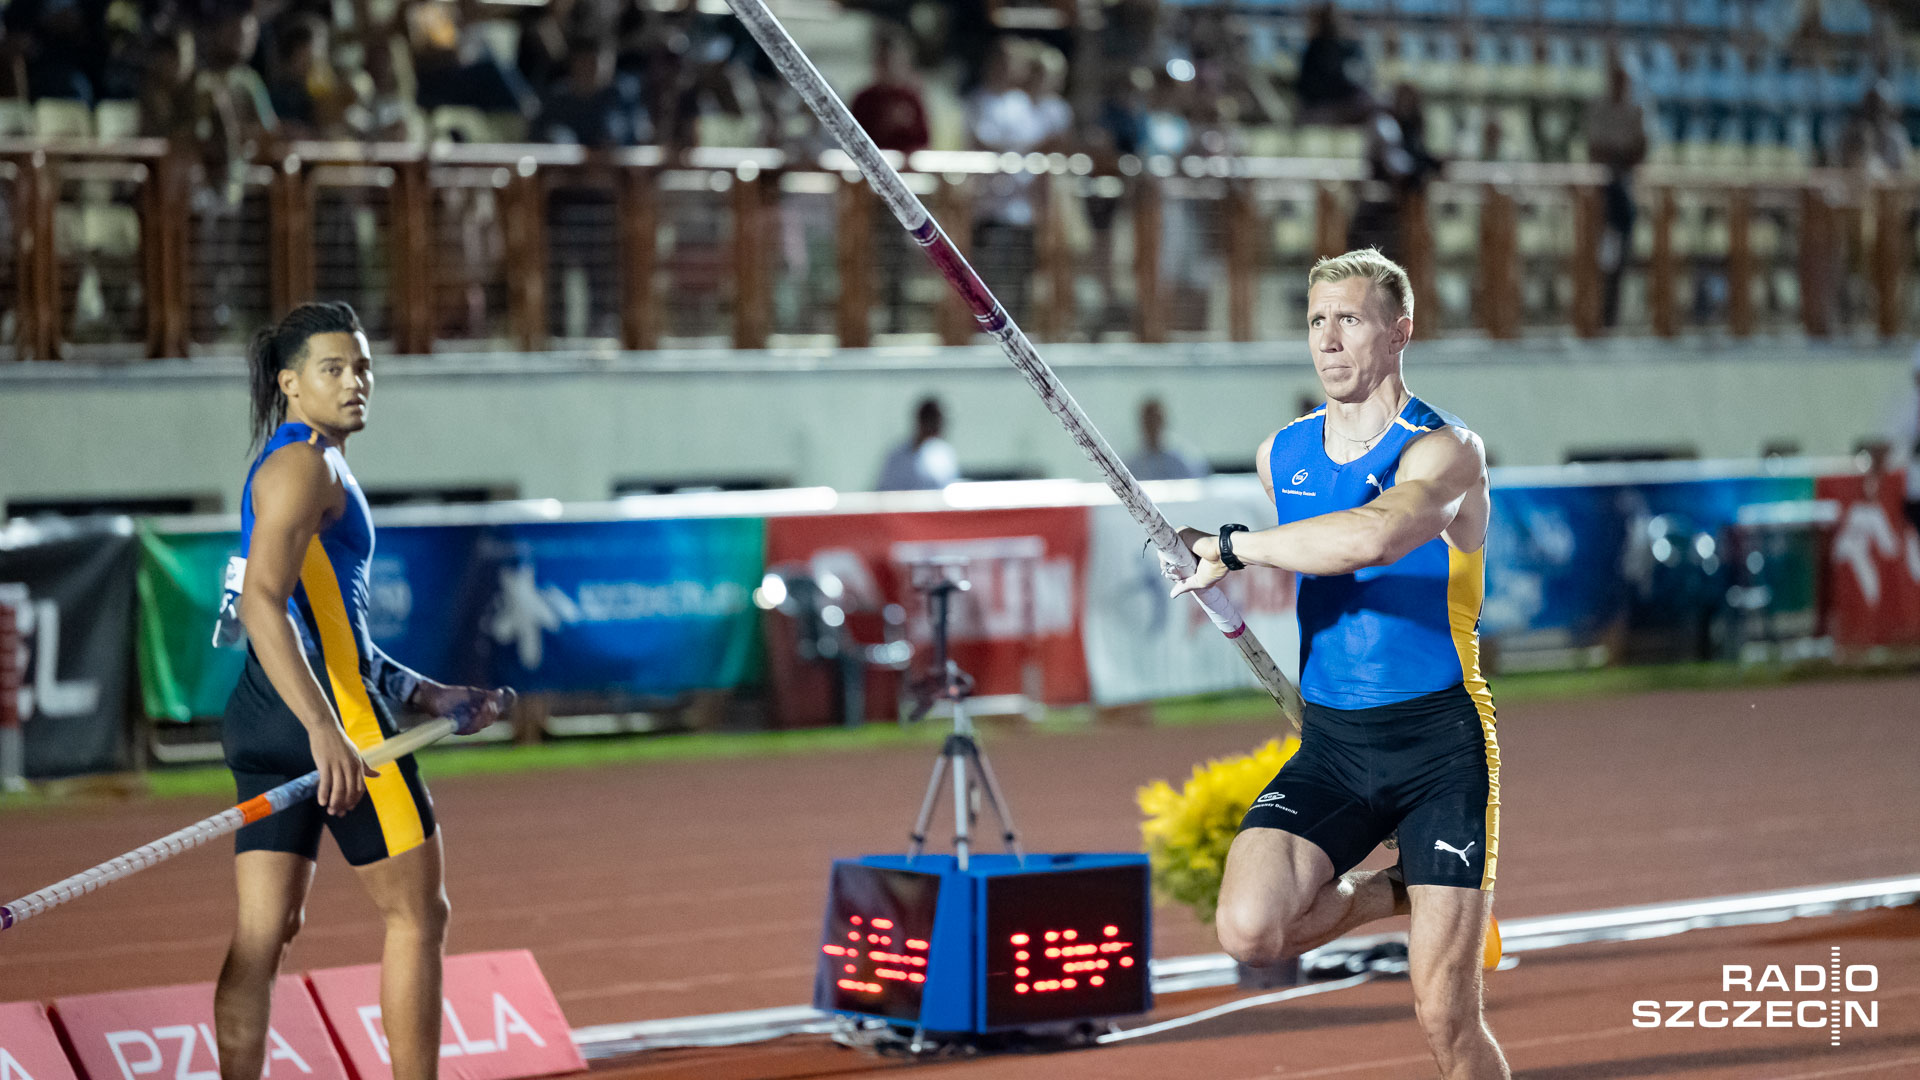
(996, 322)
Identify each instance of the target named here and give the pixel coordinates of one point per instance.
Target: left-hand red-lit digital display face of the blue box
(876, 950)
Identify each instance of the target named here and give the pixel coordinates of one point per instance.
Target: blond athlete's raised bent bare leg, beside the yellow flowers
(1280, 898)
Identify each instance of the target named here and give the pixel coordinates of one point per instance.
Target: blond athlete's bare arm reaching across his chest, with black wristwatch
(1435, 478)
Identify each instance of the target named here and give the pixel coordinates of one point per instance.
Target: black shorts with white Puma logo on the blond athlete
(1426, 768)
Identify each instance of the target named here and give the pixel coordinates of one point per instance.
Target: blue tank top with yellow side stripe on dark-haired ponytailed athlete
(329, 606)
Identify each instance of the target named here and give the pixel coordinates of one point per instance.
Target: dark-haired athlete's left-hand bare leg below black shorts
(274, 898)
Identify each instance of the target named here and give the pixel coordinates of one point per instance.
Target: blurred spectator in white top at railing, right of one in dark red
(1003, 118)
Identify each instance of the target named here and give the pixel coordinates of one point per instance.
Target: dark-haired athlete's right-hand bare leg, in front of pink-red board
(412, 896)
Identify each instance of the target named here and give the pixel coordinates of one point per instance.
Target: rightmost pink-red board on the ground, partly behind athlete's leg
(498, 1021)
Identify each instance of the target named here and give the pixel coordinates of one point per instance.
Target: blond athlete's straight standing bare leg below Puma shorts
(1445, 960)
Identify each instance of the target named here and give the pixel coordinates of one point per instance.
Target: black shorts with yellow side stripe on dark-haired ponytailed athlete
(268, 747)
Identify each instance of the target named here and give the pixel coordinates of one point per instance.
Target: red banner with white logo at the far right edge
(1873, 574)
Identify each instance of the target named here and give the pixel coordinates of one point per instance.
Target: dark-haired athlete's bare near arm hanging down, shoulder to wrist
(293, 497)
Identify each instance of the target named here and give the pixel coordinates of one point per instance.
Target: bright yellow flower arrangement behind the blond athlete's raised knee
(1188, 833)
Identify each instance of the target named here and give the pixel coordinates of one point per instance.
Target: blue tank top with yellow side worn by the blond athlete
(1380, 635)
